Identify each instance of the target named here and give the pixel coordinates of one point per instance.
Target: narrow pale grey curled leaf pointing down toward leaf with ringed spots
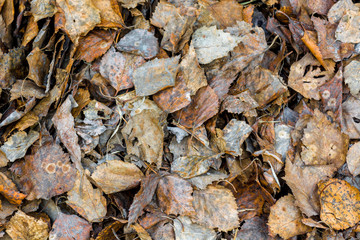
(64, 124)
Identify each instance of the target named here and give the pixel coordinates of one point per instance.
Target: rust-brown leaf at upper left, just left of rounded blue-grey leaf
(94, 45)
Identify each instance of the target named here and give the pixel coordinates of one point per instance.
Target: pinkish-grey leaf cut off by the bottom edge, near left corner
(68, 227)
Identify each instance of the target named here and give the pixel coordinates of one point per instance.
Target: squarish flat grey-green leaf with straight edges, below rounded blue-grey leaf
(155, 75)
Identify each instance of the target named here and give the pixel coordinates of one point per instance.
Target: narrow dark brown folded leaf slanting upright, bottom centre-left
(143, 197)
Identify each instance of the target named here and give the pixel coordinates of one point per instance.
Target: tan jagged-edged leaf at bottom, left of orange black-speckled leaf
(285, 218)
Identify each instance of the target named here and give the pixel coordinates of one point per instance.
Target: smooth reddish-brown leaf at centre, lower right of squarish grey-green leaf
(204, 105)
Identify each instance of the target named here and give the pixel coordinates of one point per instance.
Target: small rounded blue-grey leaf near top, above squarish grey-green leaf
(141, 42)
